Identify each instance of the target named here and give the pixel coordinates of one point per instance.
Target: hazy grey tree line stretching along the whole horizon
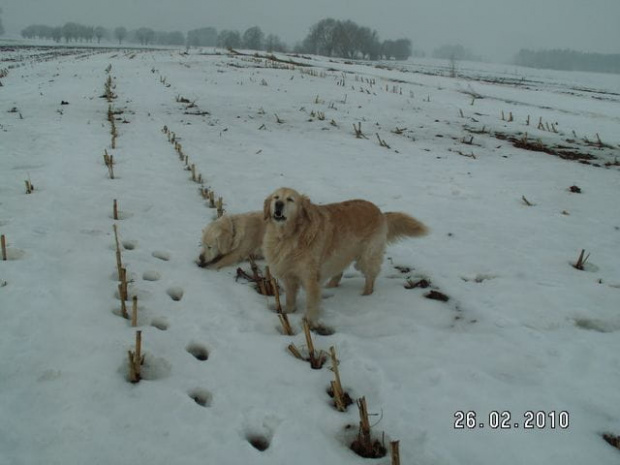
(328, 37)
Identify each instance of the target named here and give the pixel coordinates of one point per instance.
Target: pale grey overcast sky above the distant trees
(490, 28)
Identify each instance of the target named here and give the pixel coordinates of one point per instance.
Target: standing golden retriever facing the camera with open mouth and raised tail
(304, 243)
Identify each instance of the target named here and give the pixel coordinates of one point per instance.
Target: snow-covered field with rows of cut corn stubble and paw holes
(522, 331)
